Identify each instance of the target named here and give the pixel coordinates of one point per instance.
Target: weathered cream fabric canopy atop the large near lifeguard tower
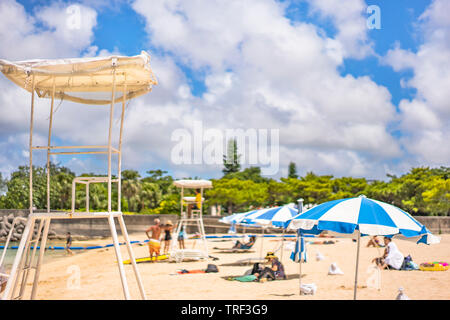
(84, 80)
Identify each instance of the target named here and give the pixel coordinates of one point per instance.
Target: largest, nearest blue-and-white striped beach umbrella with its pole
(361, 216)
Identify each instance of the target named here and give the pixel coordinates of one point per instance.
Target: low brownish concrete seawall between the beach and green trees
(138, 223)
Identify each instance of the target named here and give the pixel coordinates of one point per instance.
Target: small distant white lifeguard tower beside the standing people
(194, 219)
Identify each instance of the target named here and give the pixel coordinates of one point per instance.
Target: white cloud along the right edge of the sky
(425, 119)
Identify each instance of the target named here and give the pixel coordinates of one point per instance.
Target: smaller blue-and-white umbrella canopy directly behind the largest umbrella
(271, 216)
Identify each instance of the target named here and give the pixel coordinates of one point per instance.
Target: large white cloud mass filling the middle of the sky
(262, 71)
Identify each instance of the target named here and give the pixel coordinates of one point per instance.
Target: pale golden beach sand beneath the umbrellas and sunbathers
(99, 276)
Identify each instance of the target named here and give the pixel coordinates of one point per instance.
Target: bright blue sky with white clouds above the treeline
(218, 67)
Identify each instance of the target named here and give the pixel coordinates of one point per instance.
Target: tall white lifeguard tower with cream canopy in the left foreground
(92, 81)
